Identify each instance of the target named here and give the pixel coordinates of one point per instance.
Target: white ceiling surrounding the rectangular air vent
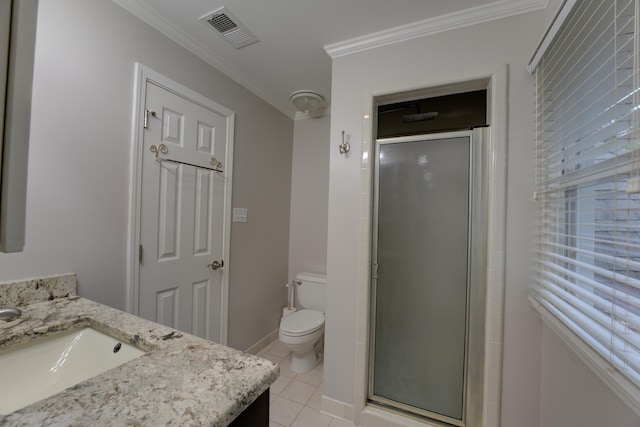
(297, 37)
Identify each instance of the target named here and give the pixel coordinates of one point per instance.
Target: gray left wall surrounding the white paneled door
(79, 166)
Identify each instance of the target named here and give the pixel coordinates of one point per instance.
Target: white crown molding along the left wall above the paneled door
(165, 27)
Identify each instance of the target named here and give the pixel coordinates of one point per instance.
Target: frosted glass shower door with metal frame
(428, 269)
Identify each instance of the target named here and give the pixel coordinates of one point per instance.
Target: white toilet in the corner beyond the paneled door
(303, 331)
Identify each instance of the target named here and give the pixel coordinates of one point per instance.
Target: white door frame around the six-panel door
(144, 75)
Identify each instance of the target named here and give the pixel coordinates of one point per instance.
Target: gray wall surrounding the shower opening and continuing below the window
(543, 383)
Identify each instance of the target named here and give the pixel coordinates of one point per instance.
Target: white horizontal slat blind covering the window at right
(587, 148)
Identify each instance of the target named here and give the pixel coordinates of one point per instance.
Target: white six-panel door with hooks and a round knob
(182, 214)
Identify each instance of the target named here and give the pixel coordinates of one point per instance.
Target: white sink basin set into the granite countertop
(48, 365)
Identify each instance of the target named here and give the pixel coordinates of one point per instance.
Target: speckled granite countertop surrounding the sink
(182, 380)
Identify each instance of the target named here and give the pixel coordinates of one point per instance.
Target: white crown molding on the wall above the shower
(477, 15)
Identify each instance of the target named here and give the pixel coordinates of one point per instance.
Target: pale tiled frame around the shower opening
(494, 78)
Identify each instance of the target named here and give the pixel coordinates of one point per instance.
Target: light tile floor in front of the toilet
(295, 398)
